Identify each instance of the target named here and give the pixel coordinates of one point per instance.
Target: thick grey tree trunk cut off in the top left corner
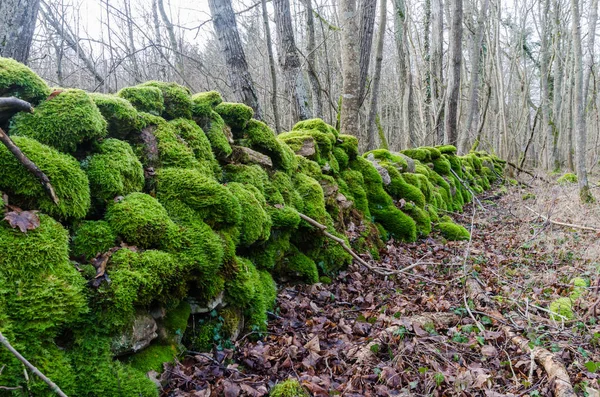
(17, 25)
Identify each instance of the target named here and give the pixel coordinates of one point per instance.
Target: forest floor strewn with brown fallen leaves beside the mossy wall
(421, 332)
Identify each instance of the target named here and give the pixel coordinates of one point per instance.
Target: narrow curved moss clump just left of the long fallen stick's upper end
(255, 223)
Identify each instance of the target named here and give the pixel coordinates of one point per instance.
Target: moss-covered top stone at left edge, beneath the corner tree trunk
(18, 80)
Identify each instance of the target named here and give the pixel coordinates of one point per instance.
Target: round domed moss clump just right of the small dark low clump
(139, 219)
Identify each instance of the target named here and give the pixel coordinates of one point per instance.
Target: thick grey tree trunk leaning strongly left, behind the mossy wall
(231, 45)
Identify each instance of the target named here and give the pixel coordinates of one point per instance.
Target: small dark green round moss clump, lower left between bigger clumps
(92, 238)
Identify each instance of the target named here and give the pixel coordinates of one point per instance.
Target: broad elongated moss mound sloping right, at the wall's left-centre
(211, 201)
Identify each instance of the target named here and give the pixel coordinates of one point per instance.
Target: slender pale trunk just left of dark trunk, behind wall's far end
(436, 61)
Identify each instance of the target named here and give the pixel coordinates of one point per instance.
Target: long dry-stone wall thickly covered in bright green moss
(151, 184)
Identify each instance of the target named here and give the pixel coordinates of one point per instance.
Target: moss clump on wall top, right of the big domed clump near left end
(121, 116)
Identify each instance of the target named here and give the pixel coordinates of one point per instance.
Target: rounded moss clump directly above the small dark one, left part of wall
(113, 171)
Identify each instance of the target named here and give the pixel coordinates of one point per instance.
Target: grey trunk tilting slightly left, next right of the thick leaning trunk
(289, 61)
